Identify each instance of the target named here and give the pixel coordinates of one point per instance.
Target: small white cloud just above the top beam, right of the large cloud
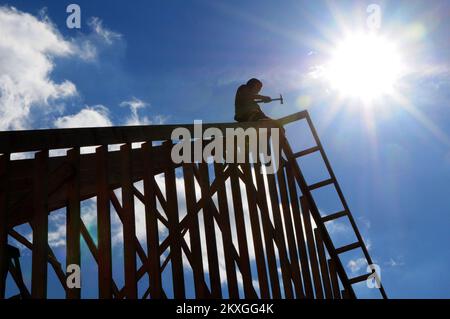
(94, 116)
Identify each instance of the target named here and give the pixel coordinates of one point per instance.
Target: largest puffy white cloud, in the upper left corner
(27, 50)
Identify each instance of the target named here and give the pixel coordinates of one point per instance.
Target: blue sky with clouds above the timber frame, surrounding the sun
(176, 61)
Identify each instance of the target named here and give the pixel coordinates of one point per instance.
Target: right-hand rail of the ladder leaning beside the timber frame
(341, 196)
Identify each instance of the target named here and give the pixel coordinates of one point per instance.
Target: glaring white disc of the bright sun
(364, 66)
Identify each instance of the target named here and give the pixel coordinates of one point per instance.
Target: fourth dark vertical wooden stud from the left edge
(103, 225)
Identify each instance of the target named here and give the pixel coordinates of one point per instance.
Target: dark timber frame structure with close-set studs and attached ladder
(240, 233)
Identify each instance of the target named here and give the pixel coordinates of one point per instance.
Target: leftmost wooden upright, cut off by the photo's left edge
(4, 193)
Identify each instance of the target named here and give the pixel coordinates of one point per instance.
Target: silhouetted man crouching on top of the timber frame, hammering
(246, 102)
